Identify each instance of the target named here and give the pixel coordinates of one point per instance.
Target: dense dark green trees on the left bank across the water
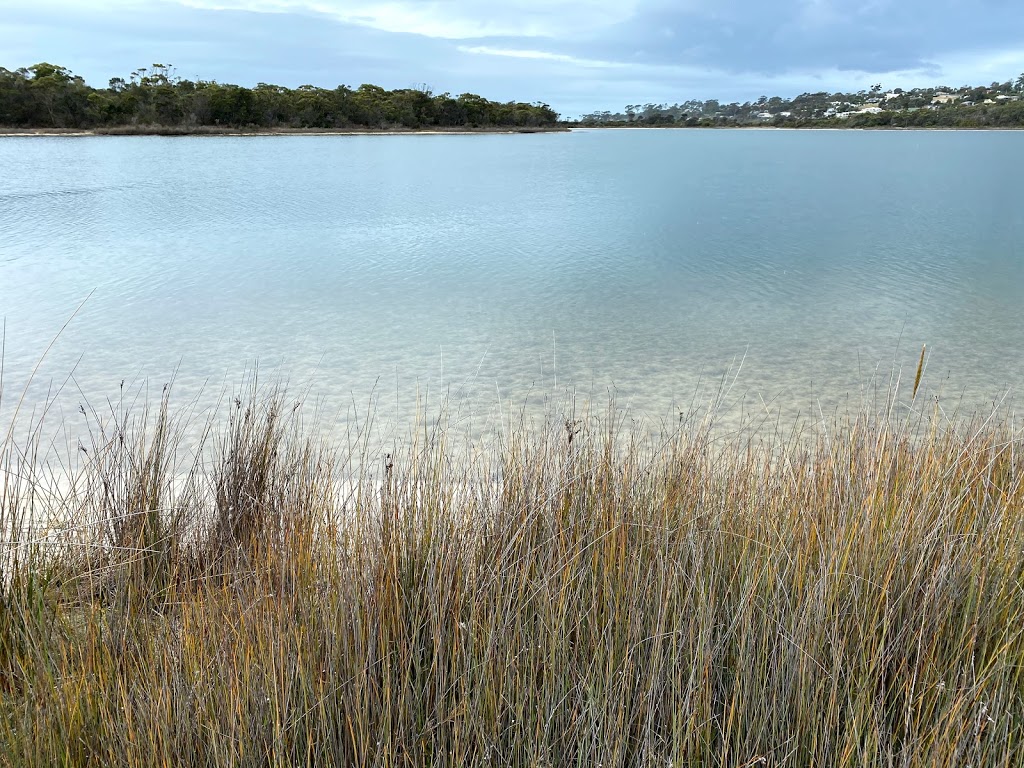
(51, 97)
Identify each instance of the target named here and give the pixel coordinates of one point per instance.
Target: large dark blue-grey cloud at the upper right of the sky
(784, 36)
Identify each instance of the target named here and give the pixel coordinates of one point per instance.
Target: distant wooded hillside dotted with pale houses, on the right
(997, 106)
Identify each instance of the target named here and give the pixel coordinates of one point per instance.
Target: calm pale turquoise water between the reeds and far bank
(503, 269)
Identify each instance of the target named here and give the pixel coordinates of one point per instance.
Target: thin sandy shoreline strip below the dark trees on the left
(157, 131)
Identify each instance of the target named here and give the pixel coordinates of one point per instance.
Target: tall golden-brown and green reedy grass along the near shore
(578, 594)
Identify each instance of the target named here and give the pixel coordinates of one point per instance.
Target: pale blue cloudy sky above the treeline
(578, 56)
